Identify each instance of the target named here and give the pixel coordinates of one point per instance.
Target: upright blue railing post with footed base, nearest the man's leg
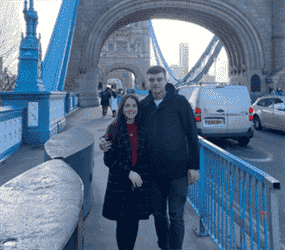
(201, 231)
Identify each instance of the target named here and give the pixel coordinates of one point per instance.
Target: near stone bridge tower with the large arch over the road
(252, 32)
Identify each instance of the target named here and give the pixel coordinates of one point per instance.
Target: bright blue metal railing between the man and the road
(222, 205)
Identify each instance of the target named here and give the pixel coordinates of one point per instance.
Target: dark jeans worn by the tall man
(170, 235)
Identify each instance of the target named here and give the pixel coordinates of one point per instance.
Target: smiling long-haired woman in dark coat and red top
(127, 199)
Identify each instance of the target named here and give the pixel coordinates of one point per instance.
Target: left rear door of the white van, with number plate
(213, 106)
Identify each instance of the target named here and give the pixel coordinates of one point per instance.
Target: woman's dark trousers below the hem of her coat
(126, 233)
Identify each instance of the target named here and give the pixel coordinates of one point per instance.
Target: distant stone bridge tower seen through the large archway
(126, 51)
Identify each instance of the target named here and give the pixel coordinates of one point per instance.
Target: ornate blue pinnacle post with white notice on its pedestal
(29, 91)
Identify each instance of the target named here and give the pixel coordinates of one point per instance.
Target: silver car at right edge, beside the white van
(269, 112)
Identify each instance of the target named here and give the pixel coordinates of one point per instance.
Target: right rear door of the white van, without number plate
(238, 108)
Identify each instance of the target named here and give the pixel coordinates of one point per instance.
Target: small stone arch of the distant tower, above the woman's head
(139, 78)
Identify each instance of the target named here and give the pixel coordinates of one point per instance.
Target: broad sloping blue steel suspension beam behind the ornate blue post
(57, 55)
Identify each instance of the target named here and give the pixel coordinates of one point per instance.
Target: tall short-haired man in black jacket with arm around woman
(172, 141)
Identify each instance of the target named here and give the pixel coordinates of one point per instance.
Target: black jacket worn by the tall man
(172, 139)
